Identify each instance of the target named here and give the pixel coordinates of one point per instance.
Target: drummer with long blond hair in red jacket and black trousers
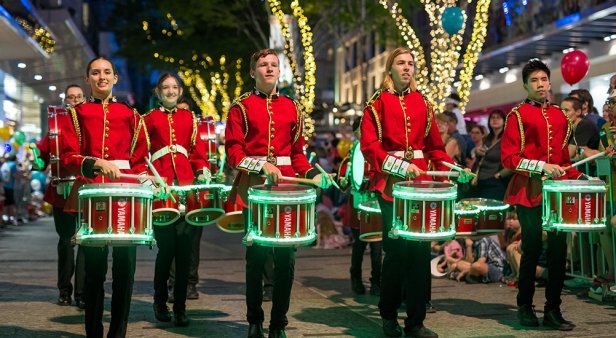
(398, 137)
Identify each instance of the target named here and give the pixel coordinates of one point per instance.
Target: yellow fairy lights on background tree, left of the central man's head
(207, 81)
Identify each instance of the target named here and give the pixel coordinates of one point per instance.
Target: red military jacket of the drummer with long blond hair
(399, 122)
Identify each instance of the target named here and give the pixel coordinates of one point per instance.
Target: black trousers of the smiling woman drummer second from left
(174, 241)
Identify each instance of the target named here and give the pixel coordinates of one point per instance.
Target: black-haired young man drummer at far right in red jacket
(534, 145)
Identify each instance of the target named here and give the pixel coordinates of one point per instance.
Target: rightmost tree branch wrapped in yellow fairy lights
(471, 55)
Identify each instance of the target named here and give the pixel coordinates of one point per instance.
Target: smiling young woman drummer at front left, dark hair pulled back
(107, 139)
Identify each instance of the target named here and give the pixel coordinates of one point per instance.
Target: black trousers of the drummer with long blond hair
(406, 266)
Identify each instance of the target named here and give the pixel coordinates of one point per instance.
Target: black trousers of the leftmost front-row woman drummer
(123, 272)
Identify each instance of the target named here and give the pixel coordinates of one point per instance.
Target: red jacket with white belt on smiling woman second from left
(175, 132)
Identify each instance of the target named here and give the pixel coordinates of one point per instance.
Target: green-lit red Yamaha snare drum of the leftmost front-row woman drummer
(115, 214)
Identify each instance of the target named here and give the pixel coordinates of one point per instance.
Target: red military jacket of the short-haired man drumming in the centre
(264, 127)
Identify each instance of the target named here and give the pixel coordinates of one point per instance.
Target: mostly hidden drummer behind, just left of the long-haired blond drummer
(359, 246)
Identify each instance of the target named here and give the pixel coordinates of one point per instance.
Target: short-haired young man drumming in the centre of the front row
(264, 138)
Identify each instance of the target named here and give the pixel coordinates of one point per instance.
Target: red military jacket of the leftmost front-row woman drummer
(112, 131)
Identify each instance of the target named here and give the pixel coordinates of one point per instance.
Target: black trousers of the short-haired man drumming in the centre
(284, 271)
